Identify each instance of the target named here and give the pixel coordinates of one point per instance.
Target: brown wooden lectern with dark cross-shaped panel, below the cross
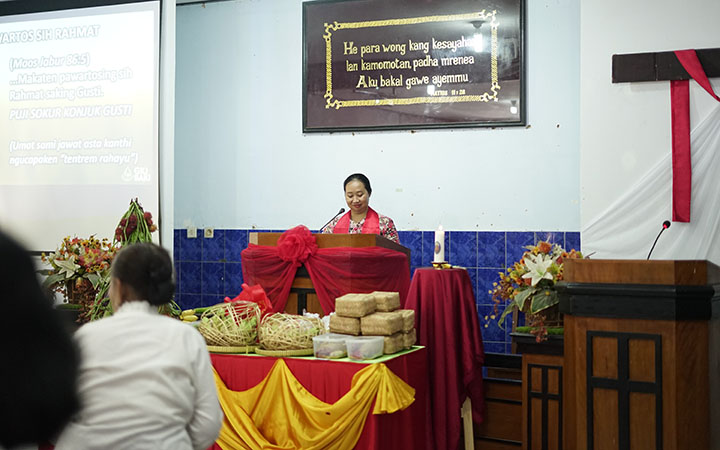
(642, 354)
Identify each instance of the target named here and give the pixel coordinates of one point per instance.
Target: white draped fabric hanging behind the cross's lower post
(627, 229)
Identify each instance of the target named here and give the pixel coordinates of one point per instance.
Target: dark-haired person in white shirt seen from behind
(146, 382)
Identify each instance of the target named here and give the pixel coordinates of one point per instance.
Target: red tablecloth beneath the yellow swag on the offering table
(329, 380)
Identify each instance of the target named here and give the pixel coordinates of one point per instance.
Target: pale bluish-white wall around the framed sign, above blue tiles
(242, 160)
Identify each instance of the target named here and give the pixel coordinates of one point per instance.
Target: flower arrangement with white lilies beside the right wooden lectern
(529, 286)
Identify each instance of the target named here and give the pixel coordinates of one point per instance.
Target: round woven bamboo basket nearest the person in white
(231, 324)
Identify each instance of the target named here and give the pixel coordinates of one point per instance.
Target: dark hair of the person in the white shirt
(147, 269)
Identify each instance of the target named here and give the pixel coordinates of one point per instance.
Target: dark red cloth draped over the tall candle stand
(448, 326)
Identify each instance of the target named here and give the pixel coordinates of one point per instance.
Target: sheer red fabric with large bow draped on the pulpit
(333, 271)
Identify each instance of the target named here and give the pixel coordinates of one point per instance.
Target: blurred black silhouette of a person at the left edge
(39, 361)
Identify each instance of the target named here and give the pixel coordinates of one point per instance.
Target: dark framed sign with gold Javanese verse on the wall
(408, 64)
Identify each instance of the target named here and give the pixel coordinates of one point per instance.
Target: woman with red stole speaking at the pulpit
(361, 218)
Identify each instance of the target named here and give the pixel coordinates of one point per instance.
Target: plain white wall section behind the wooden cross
(625, 127)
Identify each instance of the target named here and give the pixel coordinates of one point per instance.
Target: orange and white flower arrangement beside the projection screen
(77, 269)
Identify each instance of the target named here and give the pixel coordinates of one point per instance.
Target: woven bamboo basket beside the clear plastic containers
(288, 332)
